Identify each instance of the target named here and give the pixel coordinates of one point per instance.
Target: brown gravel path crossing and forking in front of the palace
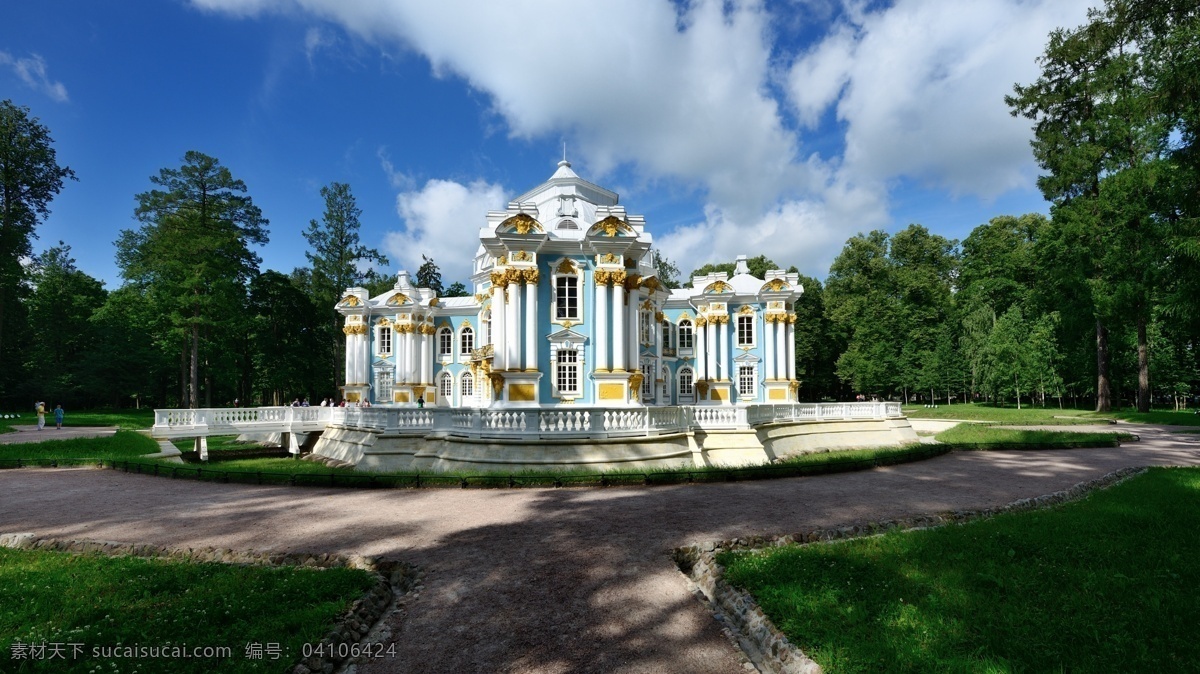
(545, 580)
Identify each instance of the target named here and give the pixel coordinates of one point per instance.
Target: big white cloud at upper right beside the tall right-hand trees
(921, 86)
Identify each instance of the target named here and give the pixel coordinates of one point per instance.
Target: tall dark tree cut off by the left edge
(31, 178)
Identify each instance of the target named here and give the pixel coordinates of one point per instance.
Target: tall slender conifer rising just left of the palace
(337, 258)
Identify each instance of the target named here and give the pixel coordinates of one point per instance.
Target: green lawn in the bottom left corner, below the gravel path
(103, 603)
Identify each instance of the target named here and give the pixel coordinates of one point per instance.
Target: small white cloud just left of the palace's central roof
(442, 221)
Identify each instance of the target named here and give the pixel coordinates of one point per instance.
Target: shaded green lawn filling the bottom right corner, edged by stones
(1105, 585)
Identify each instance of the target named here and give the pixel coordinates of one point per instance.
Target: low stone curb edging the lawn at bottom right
(770, 649)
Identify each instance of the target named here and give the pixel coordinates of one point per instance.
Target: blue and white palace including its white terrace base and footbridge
(571, 354)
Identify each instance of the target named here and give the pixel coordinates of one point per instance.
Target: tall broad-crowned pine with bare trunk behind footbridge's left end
(193, 254)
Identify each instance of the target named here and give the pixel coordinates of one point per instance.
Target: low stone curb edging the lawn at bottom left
(393, 580)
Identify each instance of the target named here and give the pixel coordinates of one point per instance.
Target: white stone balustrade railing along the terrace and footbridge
(532, 424)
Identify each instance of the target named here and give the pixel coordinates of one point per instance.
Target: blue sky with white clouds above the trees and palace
(778, 128)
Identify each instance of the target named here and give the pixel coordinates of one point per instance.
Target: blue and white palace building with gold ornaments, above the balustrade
(568, 311)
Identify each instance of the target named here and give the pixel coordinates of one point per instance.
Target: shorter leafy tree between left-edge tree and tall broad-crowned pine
(59, 311)
